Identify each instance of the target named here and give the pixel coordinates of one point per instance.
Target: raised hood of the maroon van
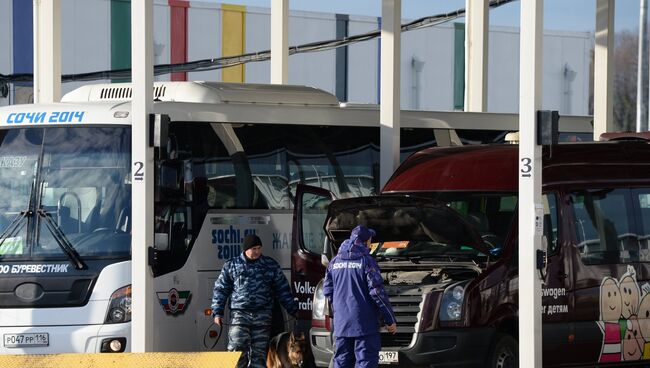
(400, 218)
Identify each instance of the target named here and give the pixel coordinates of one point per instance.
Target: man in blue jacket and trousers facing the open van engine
(354, 287)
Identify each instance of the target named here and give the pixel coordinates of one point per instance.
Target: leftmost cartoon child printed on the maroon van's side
(611, 305)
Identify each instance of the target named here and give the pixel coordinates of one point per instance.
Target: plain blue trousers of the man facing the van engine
(358, 352)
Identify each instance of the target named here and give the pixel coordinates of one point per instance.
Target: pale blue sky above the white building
(566, 15)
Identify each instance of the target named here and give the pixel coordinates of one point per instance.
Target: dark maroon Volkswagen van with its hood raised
(447, 246)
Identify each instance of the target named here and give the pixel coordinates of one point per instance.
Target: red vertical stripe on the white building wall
(178, 35)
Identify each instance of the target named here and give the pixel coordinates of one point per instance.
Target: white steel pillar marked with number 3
(530, 183)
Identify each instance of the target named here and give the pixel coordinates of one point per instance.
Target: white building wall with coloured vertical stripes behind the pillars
(91, 42)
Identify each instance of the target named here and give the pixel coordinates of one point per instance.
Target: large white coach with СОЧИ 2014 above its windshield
(233, 157)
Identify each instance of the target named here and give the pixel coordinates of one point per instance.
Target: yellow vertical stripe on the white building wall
(233, 26)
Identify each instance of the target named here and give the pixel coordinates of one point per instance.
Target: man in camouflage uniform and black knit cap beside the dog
(251, 281)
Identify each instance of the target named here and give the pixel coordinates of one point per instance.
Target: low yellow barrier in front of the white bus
(123, 360)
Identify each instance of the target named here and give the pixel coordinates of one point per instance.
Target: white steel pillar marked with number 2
(142, 175)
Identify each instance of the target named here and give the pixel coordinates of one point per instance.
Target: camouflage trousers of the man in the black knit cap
(249, 333)
